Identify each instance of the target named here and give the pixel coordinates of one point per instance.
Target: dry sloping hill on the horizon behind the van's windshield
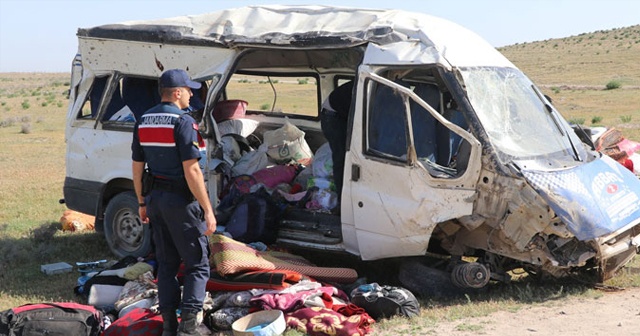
(589, 59)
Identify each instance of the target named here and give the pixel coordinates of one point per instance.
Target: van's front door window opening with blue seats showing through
(396, 118)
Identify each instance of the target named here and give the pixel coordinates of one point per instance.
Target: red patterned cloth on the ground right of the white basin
(318, 321)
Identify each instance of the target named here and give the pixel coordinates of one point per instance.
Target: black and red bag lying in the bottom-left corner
(64, 318)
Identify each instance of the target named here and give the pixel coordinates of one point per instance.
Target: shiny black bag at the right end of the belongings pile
(385, 301)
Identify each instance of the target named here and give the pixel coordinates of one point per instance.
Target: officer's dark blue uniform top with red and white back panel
(164, 137)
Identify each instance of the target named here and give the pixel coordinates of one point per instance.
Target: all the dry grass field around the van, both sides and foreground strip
(573, 71)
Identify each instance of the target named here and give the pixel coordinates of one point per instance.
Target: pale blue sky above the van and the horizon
(39, 35)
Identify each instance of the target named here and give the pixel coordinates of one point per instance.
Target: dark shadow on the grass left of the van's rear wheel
(21, 279)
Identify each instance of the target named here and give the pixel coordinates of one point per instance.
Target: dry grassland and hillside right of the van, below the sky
(575, 70)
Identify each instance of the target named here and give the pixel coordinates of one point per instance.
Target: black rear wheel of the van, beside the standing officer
(125, 233)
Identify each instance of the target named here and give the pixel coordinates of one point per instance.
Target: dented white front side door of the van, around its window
(396, 207)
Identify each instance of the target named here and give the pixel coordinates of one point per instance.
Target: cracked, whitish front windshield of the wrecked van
(516, 119)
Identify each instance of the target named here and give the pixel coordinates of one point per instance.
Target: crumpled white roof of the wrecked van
(312, 27)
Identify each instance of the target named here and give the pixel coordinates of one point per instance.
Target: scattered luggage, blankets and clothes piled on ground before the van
(252, 289)
